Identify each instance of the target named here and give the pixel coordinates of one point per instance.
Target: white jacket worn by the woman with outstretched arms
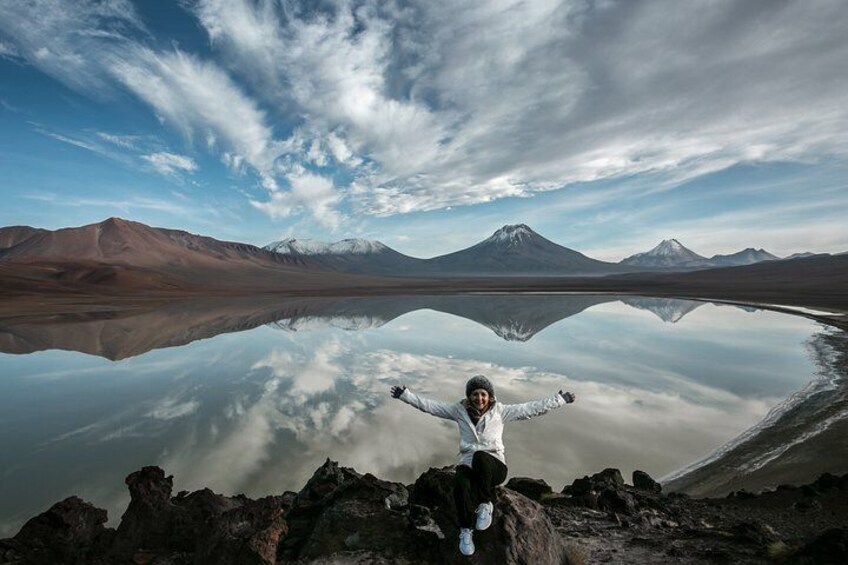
(487, 435)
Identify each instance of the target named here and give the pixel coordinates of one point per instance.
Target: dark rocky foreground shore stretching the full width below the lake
(341, 516)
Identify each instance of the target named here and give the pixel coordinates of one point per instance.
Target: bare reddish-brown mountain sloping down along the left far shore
(123, 254)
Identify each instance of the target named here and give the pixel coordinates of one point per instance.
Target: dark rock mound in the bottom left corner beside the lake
(71, 532)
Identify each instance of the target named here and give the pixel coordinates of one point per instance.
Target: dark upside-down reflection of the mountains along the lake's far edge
(121, 333)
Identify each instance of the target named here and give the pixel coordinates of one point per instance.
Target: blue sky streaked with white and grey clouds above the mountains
(604, 125)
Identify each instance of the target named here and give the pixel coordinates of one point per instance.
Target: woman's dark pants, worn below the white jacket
(475, 485)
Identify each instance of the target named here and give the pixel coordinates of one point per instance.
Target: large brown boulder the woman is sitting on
(521, 531)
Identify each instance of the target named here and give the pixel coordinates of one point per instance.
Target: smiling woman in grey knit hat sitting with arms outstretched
(482, 465)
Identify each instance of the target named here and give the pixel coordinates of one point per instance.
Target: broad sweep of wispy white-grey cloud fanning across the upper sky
(438, 104)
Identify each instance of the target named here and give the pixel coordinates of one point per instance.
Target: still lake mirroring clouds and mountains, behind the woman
(251, 397)
